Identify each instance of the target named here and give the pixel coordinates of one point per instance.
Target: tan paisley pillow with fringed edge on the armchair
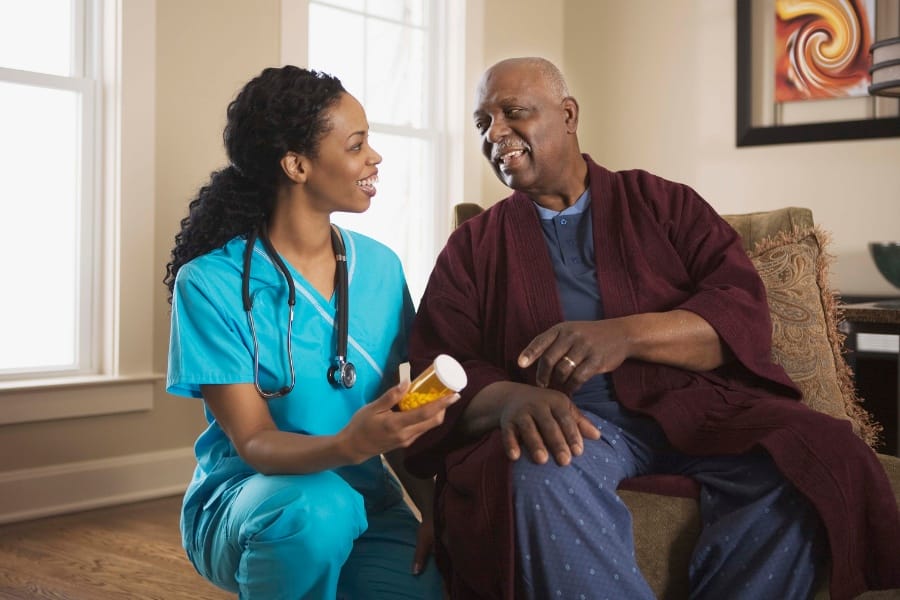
(806, 341)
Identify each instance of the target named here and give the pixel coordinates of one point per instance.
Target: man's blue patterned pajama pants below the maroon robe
(760, 538)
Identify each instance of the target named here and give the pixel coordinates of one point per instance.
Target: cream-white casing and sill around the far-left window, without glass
(119, 260)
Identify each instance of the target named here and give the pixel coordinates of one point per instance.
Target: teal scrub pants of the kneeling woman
(289, 537)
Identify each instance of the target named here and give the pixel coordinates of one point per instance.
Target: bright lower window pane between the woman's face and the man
(401, 212)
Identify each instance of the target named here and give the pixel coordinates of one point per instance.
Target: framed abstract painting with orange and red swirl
(803, 71)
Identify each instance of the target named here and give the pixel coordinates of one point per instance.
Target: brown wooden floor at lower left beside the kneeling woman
(128, 552)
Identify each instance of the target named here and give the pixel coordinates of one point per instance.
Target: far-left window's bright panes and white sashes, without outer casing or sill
(49, 94)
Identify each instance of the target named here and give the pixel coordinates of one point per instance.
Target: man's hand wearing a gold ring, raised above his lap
(570, 353)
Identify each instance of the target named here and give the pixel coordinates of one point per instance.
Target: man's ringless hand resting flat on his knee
(545, 422)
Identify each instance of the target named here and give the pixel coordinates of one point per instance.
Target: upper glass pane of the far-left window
(36, 35)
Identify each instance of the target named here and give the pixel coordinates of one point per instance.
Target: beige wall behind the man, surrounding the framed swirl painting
(656, 83)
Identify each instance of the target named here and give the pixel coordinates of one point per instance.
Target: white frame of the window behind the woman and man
(446, 119)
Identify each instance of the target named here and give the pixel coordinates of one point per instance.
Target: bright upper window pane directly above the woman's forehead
(336, 40)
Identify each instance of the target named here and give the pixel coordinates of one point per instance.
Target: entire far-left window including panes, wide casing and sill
(76, 198)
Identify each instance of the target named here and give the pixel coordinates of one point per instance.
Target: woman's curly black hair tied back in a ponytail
(281, 110)
